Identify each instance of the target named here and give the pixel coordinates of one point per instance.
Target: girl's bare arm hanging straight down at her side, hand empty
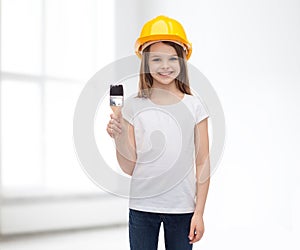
(202, 179)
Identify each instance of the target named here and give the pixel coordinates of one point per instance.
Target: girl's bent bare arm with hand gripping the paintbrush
(123, 133)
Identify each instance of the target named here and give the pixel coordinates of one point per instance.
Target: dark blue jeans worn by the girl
(144, 230)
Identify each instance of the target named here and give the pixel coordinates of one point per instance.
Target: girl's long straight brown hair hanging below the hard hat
(146, 80)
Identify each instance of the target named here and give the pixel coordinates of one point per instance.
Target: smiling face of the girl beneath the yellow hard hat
(163, 64)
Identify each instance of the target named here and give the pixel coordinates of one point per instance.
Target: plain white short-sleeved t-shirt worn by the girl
(164, 179)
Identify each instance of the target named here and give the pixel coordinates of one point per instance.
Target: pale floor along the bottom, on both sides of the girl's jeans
(117, 239)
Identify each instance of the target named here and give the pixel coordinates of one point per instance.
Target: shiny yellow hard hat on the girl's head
(162, 28)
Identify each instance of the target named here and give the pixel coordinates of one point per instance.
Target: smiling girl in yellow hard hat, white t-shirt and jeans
(159, 134)
